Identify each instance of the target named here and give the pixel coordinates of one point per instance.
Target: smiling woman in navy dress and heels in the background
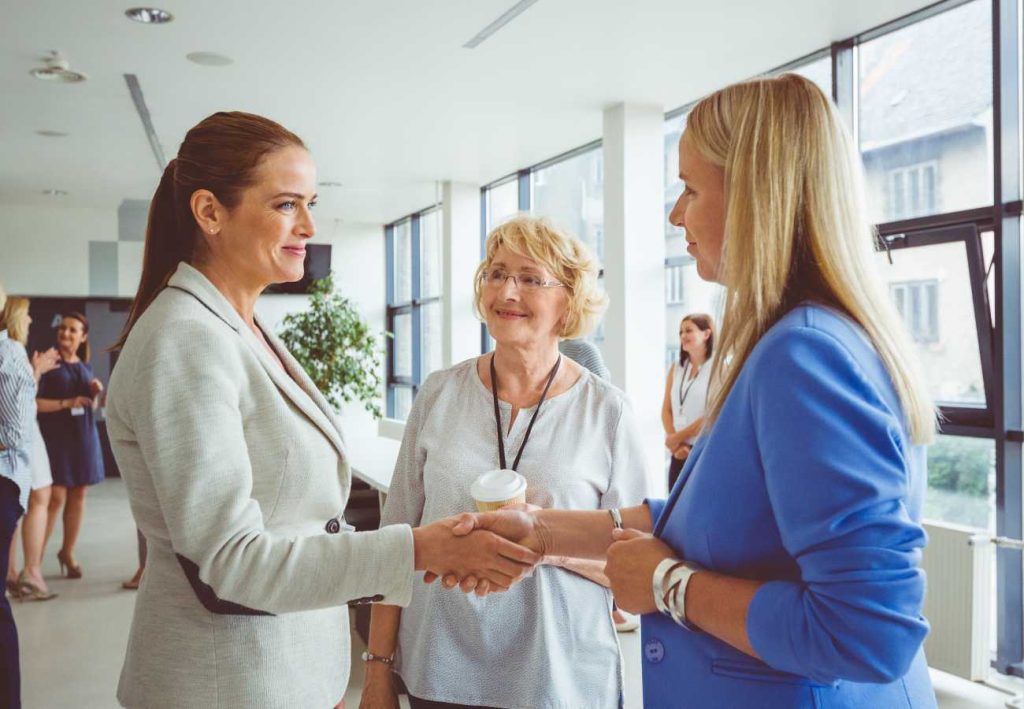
(68, 400)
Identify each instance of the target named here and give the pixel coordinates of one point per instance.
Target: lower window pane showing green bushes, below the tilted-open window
(962, 482)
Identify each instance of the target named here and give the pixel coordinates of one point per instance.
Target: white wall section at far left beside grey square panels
(46, 251)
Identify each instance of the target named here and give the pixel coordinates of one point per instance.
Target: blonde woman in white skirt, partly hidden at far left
(30, 585)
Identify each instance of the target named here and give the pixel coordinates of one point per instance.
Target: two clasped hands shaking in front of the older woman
(483, 552)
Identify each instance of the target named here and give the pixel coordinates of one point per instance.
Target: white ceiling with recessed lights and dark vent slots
(382, 91)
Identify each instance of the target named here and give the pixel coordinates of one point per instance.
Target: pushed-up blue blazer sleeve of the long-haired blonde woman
(837, 478)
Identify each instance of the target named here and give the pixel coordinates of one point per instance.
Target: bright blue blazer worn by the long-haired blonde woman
(807, 482)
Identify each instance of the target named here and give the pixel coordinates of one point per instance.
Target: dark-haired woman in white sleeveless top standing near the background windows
(687, 390)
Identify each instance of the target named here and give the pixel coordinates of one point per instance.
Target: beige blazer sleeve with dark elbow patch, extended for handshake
(186, 414)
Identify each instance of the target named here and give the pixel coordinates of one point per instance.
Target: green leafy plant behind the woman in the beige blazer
(336, 348)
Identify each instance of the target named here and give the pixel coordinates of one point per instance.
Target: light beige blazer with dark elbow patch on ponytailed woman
(238, 477)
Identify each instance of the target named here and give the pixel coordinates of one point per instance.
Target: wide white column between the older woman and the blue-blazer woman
(634, 268)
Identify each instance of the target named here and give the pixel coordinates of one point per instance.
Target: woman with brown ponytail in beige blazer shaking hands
(236, 467)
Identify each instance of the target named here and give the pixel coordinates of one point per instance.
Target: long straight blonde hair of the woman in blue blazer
(796, 229)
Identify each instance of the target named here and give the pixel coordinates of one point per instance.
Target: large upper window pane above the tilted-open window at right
(926, 115)
